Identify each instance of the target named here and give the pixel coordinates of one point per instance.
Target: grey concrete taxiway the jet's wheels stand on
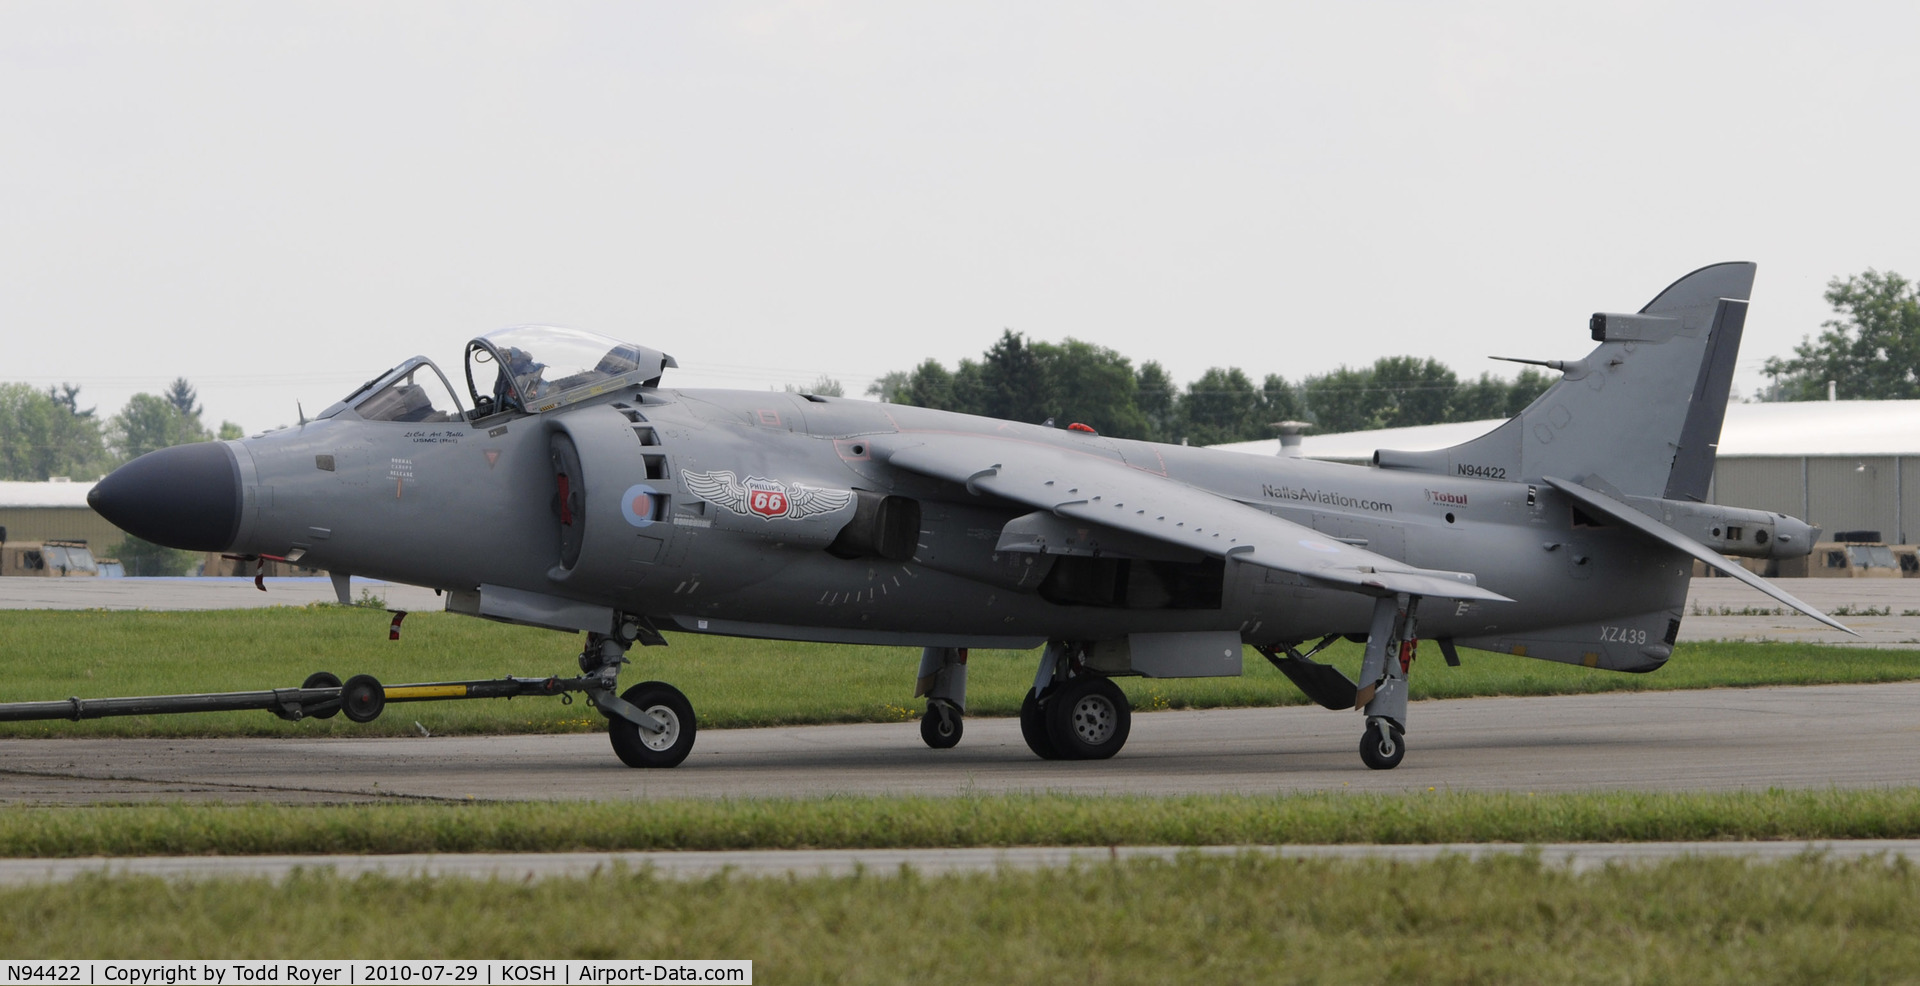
(1812, 738)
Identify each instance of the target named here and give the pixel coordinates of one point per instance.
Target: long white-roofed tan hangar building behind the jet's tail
(1836, 465)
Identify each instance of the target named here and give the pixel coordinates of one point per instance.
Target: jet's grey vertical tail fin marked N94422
(1641, 413)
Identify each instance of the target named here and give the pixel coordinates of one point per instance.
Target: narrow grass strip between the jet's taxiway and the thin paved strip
(974, 820)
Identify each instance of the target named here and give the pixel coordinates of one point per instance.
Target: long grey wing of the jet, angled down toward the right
(1097, 490)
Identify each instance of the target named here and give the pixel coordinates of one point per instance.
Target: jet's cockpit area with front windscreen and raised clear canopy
(521, 369)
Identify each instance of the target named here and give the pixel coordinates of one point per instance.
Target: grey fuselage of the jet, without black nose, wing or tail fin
(458, 505)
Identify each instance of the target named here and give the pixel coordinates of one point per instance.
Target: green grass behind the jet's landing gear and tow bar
(732, 682)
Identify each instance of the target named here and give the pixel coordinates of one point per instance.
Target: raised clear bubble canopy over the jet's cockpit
(542, 367)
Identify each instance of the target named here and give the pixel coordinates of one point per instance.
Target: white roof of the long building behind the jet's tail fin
(1790, 429)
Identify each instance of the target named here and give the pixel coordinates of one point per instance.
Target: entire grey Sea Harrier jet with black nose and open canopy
(573, 490)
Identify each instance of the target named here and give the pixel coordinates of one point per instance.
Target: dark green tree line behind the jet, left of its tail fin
(1074, 381)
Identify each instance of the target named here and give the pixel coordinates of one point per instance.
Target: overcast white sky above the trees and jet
(279, 200)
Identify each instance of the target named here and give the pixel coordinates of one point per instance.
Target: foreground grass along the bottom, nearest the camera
(1239, 920)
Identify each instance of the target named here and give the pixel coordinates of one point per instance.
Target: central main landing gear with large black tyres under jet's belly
(1074, 713)
